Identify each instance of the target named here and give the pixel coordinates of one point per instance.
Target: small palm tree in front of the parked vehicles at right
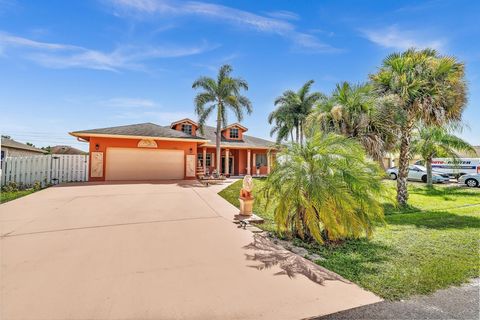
(437, 142)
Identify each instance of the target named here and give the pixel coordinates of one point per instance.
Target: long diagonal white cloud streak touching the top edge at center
(275, 24)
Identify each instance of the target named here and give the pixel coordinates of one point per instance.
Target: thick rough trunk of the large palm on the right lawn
(402, 191)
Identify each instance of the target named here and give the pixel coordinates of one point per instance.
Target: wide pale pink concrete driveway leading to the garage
(151, 251)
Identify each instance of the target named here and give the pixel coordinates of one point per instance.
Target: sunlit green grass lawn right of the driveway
(433, 244)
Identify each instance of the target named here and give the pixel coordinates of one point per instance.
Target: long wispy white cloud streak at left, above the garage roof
(57, 55)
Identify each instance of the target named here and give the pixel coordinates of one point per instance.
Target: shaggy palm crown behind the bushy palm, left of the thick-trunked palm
(356, 112)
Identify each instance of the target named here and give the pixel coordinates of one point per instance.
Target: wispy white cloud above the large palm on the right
(393, 37)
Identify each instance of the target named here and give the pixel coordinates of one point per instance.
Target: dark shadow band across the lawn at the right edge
(434, 220)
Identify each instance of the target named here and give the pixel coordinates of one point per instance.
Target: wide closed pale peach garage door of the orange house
(144, 164)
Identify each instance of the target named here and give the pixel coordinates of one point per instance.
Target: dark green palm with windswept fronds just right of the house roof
(292, 111)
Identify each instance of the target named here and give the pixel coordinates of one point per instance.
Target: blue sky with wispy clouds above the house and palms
(70, 65)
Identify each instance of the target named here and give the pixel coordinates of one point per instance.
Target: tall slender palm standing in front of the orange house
(220, 95)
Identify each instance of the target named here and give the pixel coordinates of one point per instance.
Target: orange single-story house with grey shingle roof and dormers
(148, 151)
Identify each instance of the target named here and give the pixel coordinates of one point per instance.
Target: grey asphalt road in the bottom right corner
(453, 303)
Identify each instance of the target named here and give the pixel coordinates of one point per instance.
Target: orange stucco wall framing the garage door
(104, 143)
